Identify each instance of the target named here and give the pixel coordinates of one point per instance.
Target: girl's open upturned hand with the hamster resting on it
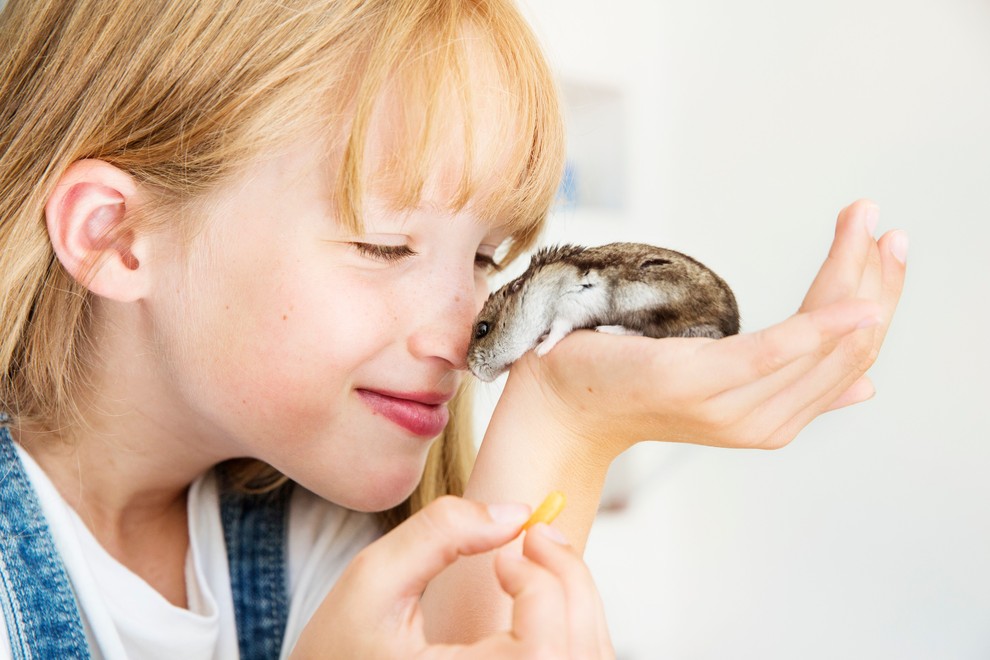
(751, 390)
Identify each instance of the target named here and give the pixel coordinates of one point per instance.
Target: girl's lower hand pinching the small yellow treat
(374, 609)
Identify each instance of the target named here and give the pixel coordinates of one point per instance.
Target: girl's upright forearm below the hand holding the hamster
(526, 453)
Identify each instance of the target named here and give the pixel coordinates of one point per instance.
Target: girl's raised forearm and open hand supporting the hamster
(595, 395)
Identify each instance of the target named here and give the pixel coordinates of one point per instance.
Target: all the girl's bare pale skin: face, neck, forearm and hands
(277, 351)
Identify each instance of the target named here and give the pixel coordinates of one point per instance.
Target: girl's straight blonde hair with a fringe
(181, 94)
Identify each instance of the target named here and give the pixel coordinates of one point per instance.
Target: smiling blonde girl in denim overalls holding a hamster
(247, 239)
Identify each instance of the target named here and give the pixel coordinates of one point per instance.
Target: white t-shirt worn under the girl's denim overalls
(125, 618)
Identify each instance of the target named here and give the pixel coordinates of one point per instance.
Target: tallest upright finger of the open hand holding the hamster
(840, 274)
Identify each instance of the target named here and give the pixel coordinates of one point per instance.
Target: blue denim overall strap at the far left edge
(36, 597)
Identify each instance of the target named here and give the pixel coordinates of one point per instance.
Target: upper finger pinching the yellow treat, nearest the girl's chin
(416, 551)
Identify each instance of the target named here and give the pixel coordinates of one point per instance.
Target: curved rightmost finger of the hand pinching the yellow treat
(585, 613)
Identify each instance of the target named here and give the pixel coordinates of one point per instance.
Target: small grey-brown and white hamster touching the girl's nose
(623, 288)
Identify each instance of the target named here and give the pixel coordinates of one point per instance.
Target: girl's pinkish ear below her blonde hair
(85, 216)
